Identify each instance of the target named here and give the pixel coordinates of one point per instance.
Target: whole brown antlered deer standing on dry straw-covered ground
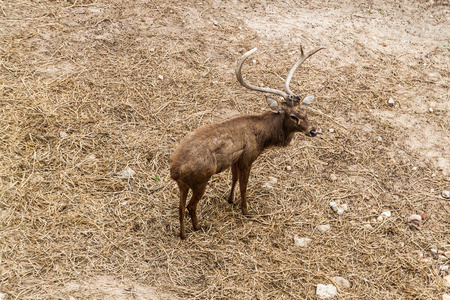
(237, 142)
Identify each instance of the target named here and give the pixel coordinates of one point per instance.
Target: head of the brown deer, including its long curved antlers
(294, 115)
